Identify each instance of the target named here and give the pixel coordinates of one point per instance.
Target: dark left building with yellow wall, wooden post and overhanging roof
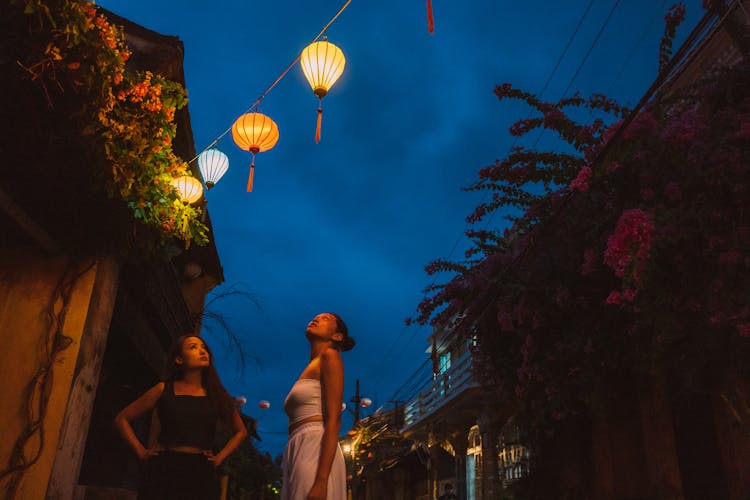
(85, 326)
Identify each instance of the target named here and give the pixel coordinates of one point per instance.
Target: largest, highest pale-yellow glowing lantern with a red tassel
(322, 63)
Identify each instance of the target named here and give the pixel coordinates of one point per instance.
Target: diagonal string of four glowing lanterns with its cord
(322, 64)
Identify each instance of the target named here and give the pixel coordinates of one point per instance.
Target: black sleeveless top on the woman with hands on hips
(186, 420)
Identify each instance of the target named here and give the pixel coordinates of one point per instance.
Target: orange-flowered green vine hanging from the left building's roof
(128, 115)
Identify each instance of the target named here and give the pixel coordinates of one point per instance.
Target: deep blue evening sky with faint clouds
(348, 225)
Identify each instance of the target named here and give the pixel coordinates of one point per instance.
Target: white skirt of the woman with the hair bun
(300, 463)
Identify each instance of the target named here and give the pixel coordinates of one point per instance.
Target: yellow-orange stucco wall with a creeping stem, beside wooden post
(27, 284)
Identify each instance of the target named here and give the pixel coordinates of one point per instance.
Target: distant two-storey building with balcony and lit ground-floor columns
(451, 414)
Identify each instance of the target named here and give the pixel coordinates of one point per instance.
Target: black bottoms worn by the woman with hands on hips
(179, 476)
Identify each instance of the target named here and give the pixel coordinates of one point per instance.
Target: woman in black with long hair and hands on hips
(190, 404)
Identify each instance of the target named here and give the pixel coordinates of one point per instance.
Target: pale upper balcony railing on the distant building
(444, 387)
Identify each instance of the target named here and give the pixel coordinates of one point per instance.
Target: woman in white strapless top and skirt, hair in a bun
(313, 464)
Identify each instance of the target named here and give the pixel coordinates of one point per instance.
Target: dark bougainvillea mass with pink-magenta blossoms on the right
(629, 249)
